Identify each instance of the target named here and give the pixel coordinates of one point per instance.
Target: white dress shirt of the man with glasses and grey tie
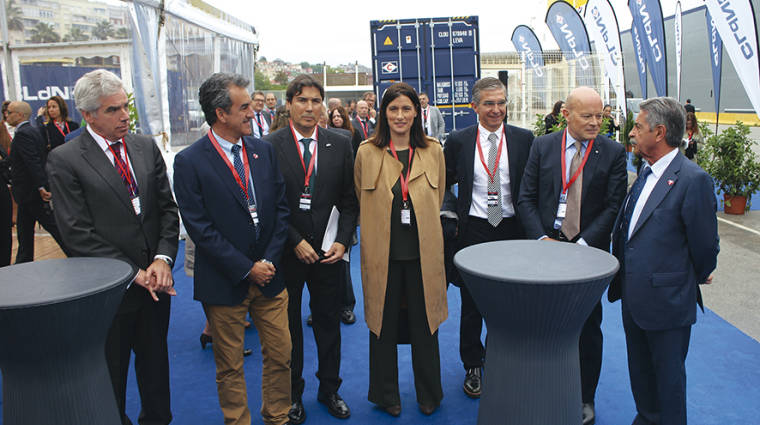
(480, 179)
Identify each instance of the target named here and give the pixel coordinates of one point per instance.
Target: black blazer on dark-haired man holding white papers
(333, 186)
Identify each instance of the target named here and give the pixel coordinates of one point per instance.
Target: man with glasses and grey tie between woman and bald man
(486, 160)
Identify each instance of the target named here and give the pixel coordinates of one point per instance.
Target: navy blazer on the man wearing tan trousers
(216, 216)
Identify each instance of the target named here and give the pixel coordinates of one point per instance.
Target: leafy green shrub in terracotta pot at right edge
(728, 157)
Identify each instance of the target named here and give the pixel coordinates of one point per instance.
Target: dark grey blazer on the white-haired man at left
(93, 210)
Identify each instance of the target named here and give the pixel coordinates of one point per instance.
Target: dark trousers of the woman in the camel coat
(404, 281)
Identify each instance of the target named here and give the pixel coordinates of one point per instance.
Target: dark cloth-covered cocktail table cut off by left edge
(54, 318)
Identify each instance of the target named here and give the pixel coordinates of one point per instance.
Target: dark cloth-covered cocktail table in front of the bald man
(535, 297)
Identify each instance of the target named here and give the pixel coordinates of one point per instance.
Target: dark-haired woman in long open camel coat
(402, 263)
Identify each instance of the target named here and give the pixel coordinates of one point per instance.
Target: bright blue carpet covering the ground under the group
(723, 370)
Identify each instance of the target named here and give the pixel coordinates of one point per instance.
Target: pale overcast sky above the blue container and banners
(332, 32)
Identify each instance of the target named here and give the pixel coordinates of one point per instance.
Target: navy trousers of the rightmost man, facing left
(656, 366)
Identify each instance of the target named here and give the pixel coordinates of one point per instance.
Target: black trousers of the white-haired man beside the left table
(141, 325)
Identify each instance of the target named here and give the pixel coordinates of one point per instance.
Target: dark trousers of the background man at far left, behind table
(30, 213)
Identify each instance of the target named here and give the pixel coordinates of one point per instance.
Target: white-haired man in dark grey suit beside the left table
(112, 199)
